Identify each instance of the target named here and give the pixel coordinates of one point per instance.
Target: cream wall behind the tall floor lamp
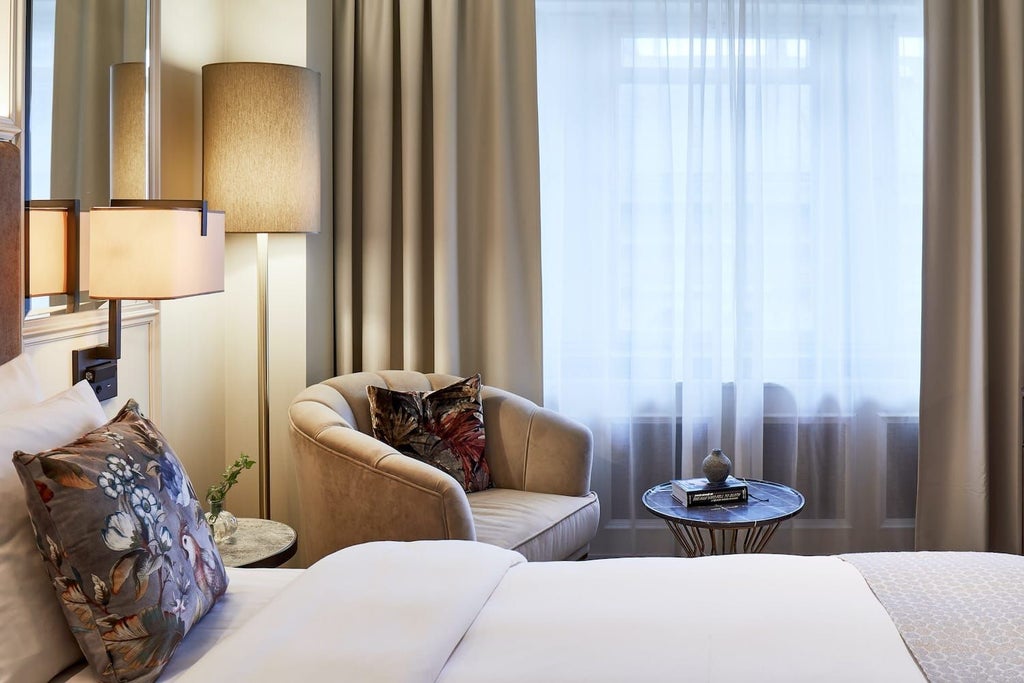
(219, 406)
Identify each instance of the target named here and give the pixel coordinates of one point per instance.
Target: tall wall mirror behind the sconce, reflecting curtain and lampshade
(72, 47)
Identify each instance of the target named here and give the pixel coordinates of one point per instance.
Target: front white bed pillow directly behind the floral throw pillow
(35, 642)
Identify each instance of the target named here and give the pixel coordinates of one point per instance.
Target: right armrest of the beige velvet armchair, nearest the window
(530, 448)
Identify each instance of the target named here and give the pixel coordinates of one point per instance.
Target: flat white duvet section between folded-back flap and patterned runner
(744, 618)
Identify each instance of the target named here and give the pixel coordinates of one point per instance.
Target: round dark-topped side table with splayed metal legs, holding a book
(729, 529)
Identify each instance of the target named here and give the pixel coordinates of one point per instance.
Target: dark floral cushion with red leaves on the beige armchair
(444, 429)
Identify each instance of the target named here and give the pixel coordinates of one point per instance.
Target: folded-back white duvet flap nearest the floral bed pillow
(378, 612)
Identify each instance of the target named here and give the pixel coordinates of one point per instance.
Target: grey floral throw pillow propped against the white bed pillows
(125, 543)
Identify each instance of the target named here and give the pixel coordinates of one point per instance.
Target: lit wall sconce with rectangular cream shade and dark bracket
(147, 249)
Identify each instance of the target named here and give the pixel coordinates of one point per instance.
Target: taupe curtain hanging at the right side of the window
(970, 471)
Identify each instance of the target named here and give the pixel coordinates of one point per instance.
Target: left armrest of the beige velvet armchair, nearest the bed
(356, 489)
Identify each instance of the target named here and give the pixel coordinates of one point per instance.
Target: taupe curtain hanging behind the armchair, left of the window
(437, 189)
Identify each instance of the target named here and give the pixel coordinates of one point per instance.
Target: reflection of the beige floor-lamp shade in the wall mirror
(129, 125)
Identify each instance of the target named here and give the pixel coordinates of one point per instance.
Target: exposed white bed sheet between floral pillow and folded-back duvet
(248, 592)
